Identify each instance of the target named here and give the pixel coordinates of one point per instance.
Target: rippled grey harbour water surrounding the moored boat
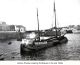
(66, 51)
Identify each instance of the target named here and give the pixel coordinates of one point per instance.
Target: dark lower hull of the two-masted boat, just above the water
(33, 48)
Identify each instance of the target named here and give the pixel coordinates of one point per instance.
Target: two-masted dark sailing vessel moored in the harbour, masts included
(35, 42)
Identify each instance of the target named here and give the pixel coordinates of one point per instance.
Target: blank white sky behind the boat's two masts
(24, 12)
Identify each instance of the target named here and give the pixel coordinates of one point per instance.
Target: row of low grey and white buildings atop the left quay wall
(5, 27)
